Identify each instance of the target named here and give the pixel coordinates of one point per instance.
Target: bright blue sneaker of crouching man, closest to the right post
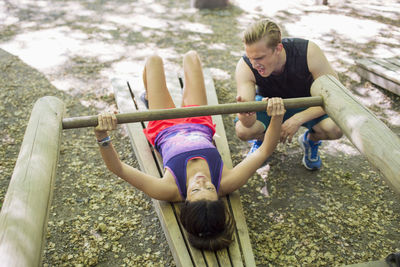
(311, 159)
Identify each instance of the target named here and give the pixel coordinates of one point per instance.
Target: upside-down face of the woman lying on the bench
(200, 187)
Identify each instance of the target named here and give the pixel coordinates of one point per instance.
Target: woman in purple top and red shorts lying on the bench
(194, 171)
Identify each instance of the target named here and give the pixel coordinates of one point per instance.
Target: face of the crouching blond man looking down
(265, 60)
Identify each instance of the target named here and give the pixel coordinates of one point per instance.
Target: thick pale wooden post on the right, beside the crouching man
(370, 135)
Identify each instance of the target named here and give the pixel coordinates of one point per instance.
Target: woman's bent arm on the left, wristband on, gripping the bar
(152, 186)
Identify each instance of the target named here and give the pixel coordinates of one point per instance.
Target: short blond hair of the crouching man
(263, 29)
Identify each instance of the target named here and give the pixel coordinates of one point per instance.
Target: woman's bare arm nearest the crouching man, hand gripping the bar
(235, 178)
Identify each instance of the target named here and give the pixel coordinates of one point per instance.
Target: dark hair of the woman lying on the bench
(208, 223)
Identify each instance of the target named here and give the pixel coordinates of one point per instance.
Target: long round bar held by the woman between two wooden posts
(162, 114)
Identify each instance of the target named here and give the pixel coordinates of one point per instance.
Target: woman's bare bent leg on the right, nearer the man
(194, 92)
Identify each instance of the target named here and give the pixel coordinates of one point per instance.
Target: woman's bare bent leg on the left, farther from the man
(155, 84)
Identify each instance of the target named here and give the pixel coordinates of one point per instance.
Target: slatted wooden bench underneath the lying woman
(240, 252)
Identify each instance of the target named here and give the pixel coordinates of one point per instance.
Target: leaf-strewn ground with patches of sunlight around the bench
(342, 214)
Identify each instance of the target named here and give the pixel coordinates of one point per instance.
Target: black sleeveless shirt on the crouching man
(296, 79)
